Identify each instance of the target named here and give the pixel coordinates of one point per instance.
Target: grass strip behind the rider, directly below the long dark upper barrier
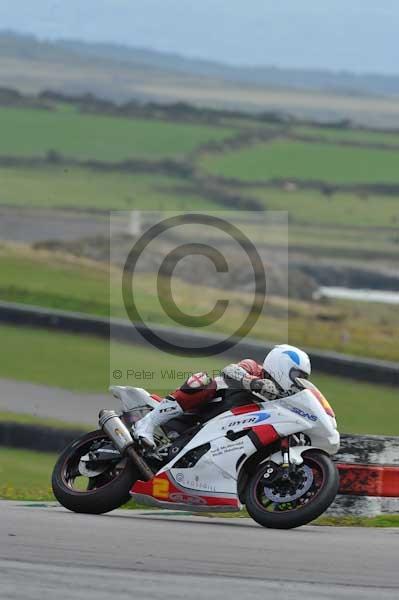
(81, 363)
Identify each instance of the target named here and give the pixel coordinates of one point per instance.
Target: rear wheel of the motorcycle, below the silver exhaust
(96, 494)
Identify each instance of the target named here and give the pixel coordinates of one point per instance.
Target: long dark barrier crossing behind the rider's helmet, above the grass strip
(375, 371)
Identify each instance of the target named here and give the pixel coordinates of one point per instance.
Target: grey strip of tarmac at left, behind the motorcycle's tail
(55, 403)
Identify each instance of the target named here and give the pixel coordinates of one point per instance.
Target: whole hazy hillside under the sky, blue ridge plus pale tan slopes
(121, 73)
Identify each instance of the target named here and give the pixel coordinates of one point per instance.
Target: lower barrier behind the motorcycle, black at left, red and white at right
(368, 466)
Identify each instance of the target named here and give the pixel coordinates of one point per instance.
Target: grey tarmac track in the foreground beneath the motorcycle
(47, 552)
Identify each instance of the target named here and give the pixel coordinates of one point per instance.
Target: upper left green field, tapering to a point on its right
(31, 132)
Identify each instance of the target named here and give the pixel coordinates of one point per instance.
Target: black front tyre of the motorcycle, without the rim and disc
(302, 514)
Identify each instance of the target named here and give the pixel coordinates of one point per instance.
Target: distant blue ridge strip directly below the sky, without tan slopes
(343, 82)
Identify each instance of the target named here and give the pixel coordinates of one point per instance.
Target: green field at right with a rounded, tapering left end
(284, 159)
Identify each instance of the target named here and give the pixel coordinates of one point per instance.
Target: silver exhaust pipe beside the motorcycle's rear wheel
(119, 434)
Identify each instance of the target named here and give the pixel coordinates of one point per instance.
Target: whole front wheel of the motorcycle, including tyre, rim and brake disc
(282, 499)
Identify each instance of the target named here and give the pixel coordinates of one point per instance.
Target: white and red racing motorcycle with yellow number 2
(271, 457)
